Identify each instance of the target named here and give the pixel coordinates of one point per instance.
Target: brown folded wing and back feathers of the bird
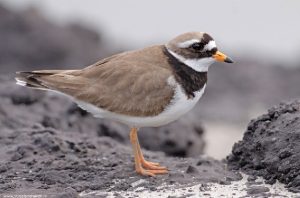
(132, 83)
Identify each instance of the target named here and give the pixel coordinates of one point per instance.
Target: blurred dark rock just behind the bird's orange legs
(181, 138)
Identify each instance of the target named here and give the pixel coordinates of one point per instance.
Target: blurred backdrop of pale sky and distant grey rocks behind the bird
(263, 37)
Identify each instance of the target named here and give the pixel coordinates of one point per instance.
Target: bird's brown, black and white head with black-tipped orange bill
(197, 50)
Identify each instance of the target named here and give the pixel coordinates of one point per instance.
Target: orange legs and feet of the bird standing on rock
(142, 166)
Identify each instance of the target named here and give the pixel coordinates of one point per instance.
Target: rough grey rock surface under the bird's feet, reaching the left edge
(46, 144)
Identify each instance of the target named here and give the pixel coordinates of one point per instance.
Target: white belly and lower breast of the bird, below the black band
(179, 105)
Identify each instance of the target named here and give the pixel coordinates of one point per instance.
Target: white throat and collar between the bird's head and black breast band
(199, 65)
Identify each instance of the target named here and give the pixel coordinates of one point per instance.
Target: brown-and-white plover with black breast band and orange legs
(148, 87)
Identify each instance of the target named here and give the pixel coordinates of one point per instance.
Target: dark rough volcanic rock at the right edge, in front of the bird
(271, 146)
